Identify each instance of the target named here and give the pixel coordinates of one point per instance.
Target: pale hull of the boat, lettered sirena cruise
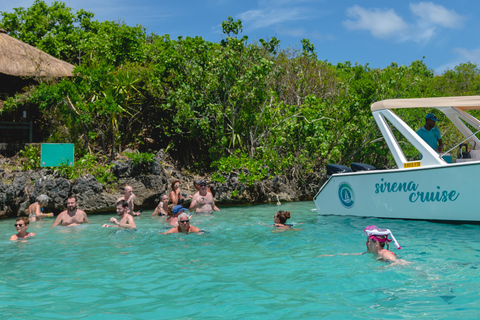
(444, 193)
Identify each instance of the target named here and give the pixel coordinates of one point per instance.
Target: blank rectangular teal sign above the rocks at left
(57, 154)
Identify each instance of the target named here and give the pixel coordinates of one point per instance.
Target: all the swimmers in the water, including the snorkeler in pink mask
(179, 219)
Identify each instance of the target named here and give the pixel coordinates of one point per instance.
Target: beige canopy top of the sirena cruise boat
(462, 103)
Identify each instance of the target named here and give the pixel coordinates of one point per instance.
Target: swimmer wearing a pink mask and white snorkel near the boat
(376, 241)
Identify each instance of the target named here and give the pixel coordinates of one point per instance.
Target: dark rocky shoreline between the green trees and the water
(18, 189)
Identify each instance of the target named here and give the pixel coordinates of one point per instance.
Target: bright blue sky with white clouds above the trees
(362, 31)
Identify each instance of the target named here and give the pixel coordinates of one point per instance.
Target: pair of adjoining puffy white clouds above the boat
(385, 24)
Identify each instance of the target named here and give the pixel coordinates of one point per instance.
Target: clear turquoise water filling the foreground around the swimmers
(239, 269)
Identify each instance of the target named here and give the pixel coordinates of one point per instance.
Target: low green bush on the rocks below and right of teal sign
(89, 164)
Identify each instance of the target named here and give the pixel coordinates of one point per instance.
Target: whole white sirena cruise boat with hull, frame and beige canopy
(426, 189)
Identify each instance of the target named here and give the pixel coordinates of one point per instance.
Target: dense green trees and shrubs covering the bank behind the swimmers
(253, 108)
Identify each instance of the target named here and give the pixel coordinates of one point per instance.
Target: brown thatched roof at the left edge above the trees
(20, 59)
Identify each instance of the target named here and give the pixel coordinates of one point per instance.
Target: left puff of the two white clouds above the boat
(381, 24)
